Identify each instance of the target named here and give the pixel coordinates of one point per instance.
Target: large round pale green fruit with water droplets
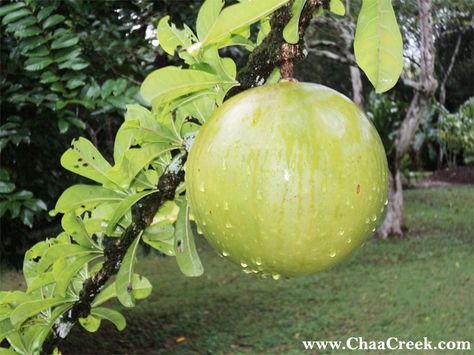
(287, 179)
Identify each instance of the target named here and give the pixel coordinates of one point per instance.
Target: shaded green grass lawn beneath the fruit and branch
(421, 286)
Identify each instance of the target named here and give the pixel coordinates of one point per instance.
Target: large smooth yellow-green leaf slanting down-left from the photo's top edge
(234, 18)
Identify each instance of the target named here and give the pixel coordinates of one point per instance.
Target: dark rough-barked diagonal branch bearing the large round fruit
(272, 52)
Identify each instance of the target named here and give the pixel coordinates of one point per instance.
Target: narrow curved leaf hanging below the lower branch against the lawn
(124, 280)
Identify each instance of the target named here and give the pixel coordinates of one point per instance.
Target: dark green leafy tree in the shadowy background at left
(59, 79)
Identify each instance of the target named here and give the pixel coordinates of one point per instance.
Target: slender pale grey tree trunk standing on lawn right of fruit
(424, 92)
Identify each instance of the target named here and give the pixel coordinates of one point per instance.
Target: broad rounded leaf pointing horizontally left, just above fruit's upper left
(169, 83)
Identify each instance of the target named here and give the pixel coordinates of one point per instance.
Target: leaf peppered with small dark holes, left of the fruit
(84, 159)
